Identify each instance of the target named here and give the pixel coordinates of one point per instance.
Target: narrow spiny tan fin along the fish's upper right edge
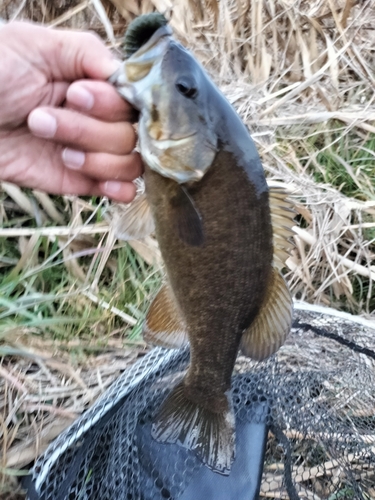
(282, 216)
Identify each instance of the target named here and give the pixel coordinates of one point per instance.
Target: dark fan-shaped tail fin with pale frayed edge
(211, 435)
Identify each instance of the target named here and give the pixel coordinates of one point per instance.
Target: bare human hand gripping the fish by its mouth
(83, 148)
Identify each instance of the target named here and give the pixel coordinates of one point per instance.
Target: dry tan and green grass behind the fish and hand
(72, 297)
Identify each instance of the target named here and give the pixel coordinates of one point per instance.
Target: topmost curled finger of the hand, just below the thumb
(100, 100)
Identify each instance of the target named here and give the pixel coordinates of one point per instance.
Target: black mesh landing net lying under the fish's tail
(305, 427)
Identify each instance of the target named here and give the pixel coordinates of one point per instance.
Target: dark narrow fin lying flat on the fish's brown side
(187, 219)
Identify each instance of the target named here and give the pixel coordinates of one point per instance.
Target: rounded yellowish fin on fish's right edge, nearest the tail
(271, 327)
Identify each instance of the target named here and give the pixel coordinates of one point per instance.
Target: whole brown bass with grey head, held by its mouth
(223, 232)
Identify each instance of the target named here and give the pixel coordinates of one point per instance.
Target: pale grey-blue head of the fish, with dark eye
(172, 92)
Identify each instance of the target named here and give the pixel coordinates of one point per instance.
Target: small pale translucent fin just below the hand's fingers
(133, 221)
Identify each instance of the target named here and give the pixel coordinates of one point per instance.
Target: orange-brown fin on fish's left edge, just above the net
(164, 326)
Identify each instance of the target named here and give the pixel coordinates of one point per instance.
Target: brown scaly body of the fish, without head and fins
(219, 285)
